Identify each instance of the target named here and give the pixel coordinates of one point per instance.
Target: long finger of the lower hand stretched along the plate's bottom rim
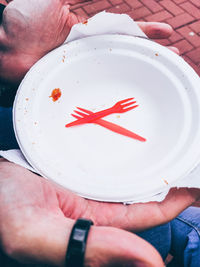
(135, 217)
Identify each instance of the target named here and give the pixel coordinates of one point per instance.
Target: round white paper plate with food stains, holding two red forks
(94, 73)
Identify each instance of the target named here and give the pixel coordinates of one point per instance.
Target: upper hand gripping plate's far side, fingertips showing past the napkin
(32, 28)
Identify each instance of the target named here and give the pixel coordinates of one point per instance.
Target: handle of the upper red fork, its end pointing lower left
(92, 117)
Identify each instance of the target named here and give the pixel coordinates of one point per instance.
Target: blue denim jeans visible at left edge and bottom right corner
(180, 237)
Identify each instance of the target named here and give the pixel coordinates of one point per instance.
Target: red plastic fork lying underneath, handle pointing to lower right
(112, 126)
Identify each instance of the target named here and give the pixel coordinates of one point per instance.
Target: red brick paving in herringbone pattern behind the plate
(182, 15)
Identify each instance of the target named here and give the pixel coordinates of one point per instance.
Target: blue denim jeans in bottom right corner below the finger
(180, 238)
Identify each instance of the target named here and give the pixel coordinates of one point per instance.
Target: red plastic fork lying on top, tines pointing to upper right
(120, 107)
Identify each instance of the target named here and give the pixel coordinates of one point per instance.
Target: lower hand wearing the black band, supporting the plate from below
(36, 218)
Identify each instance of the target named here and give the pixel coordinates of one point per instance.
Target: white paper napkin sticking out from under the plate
(108, 23)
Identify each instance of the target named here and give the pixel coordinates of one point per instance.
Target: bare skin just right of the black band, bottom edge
(108, 246)
